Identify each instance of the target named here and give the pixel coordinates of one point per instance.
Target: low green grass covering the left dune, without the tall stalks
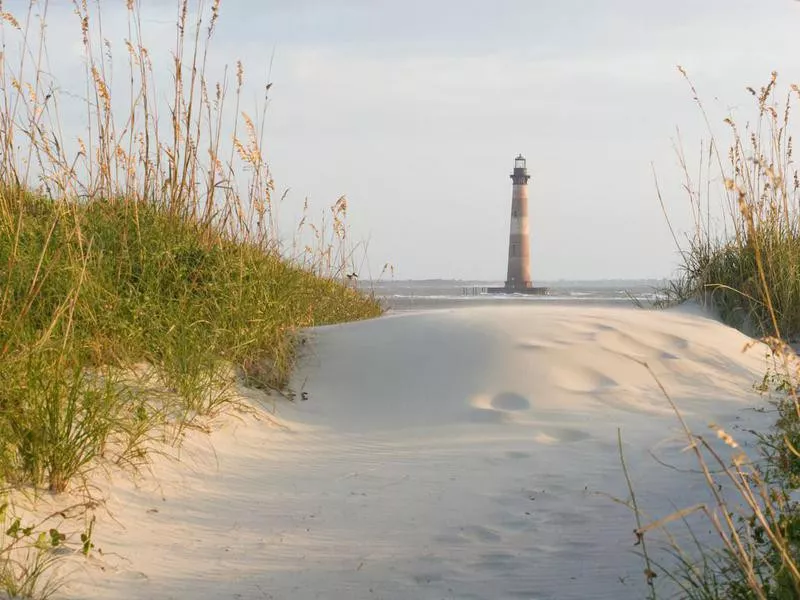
(93, 289)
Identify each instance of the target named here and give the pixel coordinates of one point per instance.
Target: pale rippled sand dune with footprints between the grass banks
(450, 454)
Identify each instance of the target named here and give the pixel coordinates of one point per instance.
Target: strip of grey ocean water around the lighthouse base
(439, 293)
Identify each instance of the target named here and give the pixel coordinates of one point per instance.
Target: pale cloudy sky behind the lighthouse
(415, 110)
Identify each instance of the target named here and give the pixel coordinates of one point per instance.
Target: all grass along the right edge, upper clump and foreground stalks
(747, 266)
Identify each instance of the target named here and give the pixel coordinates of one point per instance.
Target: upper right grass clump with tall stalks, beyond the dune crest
(745, 261)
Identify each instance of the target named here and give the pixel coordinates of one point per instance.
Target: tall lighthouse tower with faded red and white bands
(519, 251)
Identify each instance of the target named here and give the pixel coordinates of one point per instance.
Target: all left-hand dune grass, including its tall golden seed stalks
(149, 239)
